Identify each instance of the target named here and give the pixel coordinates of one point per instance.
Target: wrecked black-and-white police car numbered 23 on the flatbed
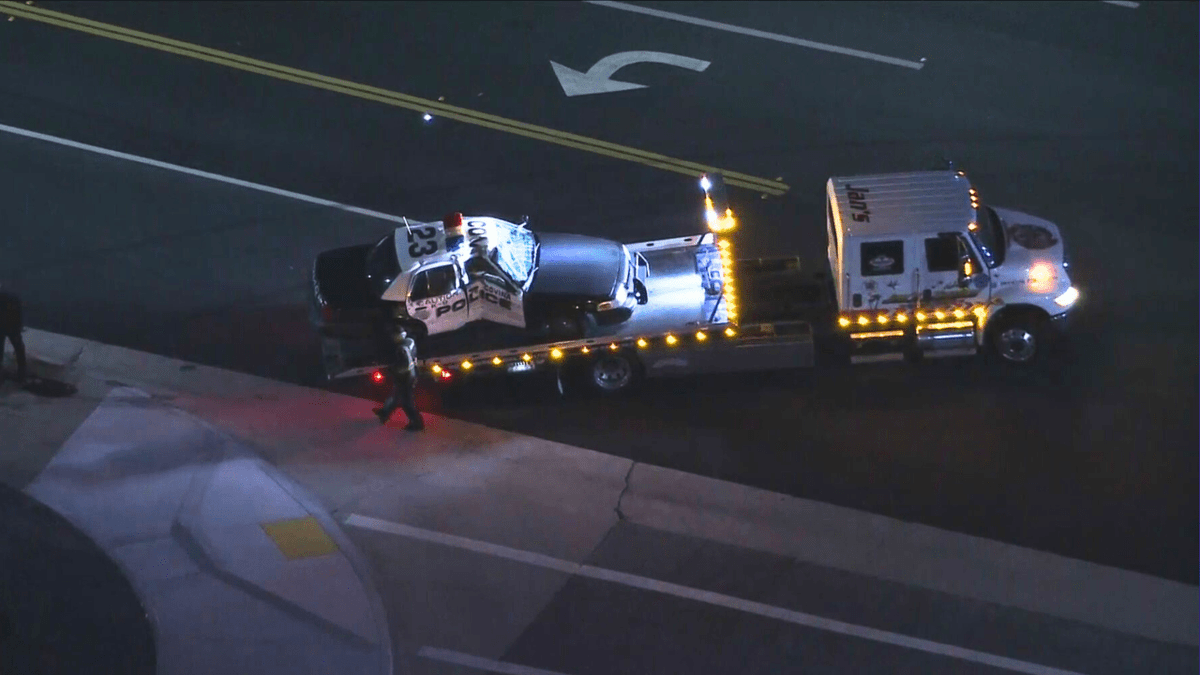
(439, 277)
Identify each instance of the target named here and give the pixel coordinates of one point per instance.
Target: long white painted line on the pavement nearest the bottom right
(709, 598)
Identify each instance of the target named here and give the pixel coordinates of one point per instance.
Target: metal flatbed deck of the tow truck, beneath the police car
(679, 304)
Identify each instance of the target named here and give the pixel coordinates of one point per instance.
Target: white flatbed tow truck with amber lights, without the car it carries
(917, 267)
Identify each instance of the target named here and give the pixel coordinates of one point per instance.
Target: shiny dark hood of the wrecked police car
(574, 265)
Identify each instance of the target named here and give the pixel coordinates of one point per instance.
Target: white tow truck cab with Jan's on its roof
(922, 267)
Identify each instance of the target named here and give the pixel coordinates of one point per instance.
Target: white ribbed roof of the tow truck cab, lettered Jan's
(903, 204)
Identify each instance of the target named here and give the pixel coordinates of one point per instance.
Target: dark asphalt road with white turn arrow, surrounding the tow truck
(1081, 112)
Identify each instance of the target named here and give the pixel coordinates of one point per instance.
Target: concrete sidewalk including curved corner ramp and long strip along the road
(191, 479)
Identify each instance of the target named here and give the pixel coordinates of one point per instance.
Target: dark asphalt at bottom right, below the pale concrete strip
(471, 604)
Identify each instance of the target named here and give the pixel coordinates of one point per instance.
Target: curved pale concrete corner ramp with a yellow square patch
(238, 570)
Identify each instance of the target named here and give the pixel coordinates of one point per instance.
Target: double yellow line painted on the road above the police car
(386, 97)
